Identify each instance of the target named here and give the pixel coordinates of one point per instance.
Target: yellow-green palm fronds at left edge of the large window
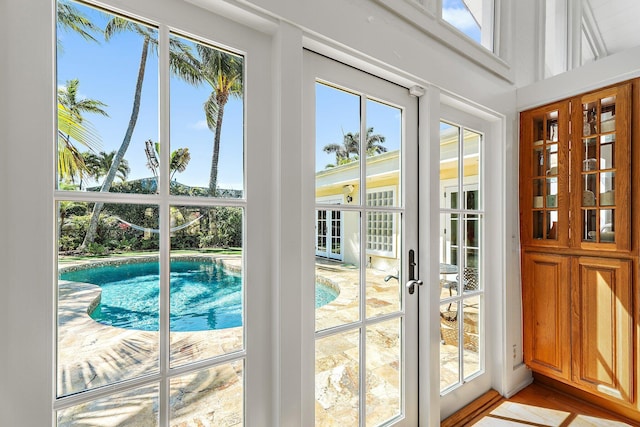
(70, 162)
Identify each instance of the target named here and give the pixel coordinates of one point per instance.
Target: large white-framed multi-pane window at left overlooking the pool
(151, 290)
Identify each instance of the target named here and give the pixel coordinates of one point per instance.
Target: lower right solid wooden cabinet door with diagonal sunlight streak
(602, 323)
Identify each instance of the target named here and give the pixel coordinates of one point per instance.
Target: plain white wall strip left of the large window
(27, 220)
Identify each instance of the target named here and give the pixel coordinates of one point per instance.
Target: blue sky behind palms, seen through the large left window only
(107, 72)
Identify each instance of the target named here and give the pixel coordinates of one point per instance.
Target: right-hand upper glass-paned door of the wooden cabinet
(603, 168)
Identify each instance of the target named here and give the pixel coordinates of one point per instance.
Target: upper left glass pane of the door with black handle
(337, 145)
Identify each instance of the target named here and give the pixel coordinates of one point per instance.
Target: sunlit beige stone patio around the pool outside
(91, 355)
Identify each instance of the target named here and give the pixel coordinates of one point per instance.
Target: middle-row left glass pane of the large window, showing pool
(108, 300)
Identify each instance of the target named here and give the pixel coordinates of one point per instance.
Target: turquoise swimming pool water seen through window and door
(204, 296)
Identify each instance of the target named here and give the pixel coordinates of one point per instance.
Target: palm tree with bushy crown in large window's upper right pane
(223, 72)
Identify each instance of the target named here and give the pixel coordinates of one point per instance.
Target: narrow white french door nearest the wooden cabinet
(461, 305)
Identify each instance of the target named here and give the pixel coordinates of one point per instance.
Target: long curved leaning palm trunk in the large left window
(106, 185)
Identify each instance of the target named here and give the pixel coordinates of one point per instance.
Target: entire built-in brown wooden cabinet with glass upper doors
(580, 229)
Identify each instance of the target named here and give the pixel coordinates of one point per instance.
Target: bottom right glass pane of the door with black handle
(384, 368)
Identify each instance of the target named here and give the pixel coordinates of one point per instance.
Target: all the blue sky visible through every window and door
(107, 72)
